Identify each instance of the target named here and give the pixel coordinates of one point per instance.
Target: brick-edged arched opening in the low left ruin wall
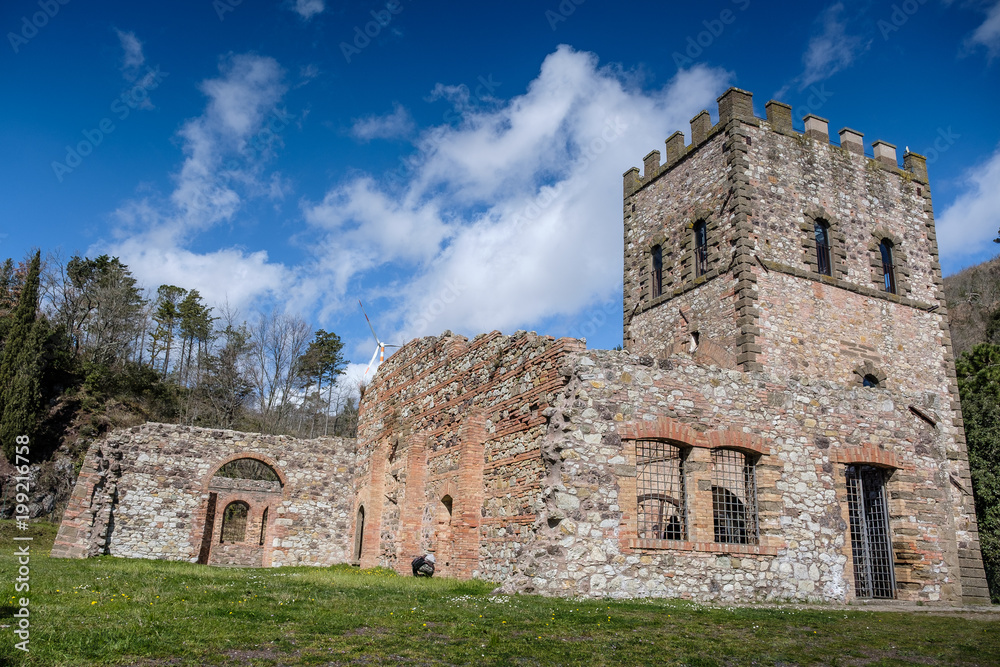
(237, 516)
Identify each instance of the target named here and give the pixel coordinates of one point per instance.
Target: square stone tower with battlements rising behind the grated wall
(770, 251)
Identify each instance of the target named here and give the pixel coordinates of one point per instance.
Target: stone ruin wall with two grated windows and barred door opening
(805, 432)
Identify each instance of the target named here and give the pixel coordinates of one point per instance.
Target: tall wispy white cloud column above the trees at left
(225, 149)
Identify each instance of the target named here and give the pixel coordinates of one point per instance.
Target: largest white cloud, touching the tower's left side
(513, 214)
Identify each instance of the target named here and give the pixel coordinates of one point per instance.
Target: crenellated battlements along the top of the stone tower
(737, 105)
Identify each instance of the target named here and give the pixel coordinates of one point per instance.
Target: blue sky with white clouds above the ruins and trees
(458, 167)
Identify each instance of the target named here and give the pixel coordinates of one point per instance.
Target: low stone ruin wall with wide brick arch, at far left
(144, 492)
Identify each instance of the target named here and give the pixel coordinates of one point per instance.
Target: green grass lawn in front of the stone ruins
(110, 611)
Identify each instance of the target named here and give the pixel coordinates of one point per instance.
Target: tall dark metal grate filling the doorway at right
(870, 542)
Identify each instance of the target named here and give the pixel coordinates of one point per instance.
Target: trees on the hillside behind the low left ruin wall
(82, 335)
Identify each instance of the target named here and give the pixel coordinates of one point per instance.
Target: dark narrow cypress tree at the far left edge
(21, 366)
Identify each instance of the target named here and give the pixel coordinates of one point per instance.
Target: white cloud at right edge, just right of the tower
(968, 226)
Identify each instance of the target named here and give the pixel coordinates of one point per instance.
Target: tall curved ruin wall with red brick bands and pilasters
(450, 418)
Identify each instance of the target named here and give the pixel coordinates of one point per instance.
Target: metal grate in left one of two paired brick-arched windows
(660, 491)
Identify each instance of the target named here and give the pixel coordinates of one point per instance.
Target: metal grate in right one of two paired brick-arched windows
(734, 497)
